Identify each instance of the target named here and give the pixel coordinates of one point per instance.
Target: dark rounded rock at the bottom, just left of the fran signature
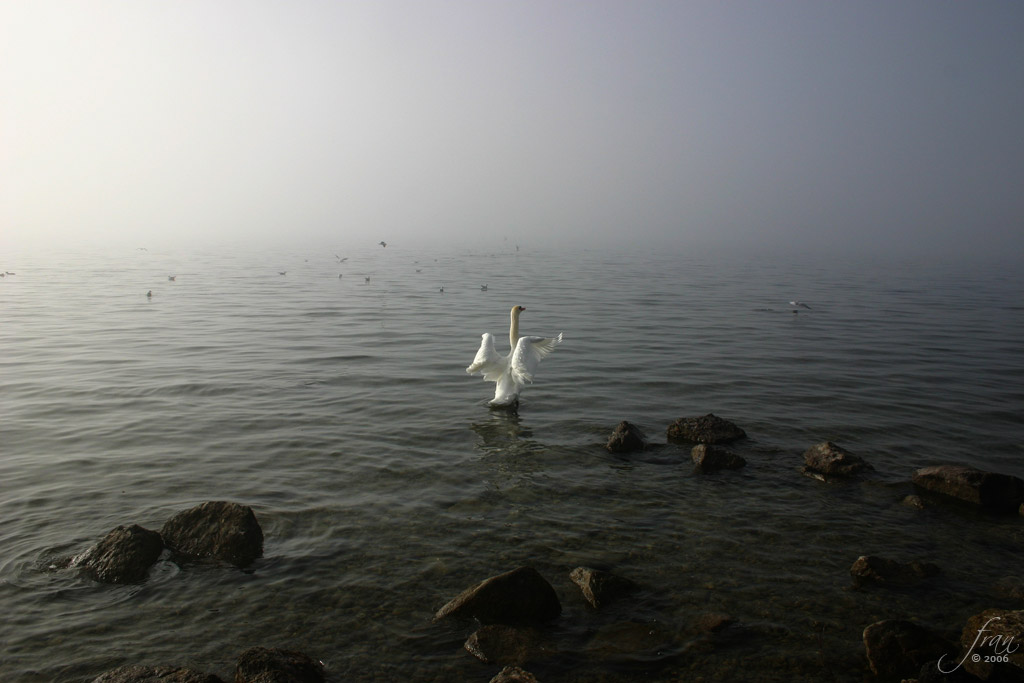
(898, 649)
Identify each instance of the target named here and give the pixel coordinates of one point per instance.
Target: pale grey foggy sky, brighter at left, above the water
(880, 125)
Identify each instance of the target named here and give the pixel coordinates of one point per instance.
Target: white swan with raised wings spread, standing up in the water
(513, 372)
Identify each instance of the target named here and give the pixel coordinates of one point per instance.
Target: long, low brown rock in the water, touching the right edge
(1002, 493)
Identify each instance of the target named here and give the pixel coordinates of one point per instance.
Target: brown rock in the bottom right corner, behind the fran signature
(992, 646)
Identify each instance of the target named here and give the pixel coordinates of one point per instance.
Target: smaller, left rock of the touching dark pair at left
(123, 557)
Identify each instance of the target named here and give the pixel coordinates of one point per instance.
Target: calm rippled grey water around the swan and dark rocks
(340, 411)
